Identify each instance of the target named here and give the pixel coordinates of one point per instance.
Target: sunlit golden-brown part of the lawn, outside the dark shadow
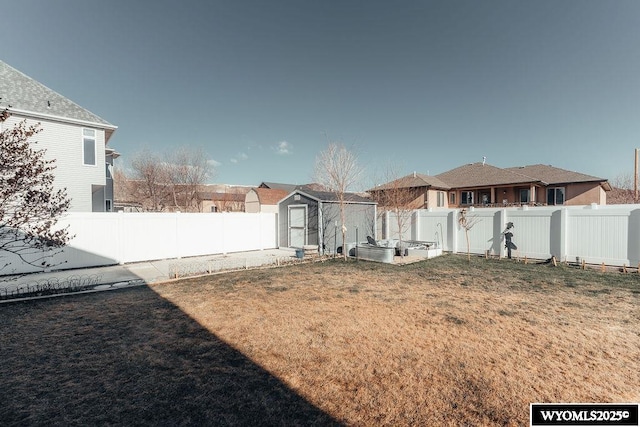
(440, 342)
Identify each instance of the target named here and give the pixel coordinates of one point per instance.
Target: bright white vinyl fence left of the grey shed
(118, 238)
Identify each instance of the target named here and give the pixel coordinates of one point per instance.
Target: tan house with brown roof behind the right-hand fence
(481, 184)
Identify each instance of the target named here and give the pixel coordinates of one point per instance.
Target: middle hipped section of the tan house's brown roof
(482, 175)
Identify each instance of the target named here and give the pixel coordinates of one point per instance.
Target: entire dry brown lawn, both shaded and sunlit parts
(441, 342)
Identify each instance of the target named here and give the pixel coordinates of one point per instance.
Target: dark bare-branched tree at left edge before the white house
(29, 205)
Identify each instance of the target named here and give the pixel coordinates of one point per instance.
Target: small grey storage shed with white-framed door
(307, 217)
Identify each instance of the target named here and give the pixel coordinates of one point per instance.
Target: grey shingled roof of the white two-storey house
(22, 94)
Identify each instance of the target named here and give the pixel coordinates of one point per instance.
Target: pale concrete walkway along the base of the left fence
(142, 272)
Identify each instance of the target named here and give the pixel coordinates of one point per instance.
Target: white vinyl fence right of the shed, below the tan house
(593, 234)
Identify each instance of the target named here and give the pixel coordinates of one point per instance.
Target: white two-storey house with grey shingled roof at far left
(75, 137)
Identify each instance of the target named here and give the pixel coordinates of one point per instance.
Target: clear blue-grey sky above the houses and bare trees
(422, 86)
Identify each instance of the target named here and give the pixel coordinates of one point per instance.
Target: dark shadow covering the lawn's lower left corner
(130, 357)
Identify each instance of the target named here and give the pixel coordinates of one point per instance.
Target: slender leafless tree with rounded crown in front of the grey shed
(337, 169)
